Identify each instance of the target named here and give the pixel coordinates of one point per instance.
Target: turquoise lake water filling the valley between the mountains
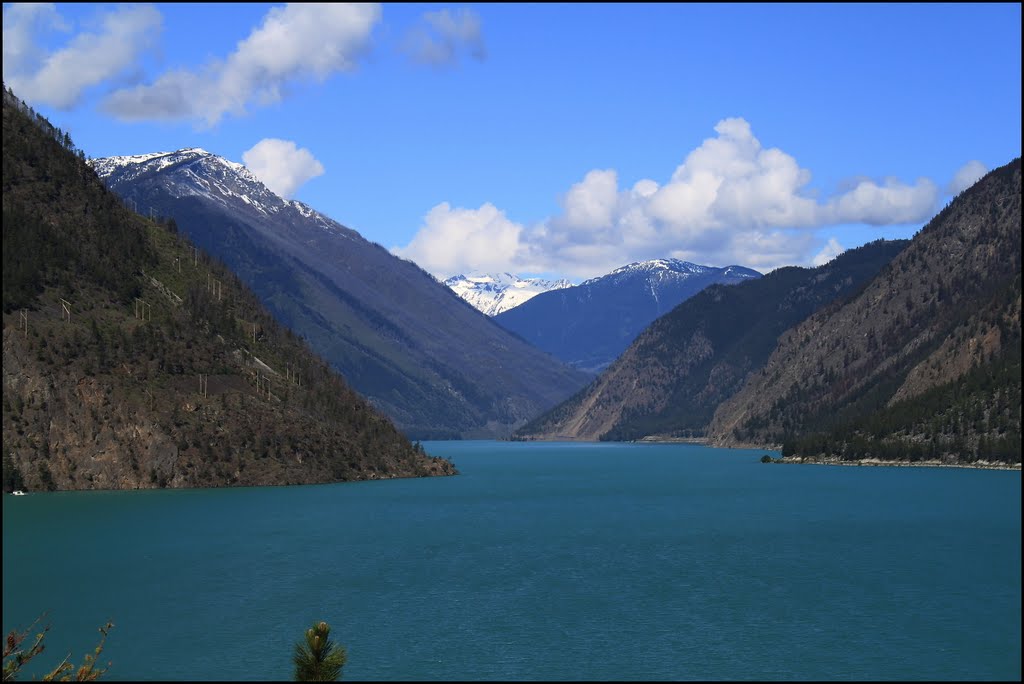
(540, 562)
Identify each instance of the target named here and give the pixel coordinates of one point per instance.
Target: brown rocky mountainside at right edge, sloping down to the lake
(925, 363)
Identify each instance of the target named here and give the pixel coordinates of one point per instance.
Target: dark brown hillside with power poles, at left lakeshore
(134, 361)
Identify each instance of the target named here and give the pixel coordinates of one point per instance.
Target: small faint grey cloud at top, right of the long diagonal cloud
(444, 35)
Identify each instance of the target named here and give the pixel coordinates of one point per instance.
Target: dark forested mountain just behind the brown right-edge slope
(671, 380)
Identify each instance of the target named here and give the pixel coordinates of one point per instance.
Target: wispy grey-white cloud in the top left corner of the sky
(60, 78)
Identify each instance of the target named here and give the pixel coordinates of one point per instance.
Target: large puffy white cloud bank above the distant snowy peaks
(731, 202)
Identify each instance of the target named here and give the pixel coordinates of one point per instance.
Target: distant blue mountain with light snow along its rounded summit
(589, 325)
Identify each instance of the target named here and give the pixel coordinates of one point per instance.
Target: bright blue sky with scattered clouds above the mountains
(563, 140)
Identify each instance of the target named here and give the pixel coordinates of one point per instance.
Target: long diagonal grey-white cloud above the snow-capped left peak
(294, 44)
